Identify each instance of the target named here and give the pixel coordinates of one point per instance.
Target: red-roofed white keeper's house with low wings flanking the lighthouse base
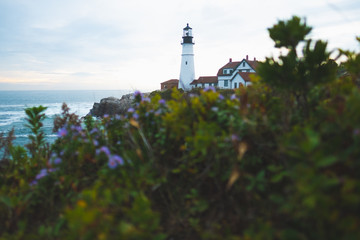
(232, 75)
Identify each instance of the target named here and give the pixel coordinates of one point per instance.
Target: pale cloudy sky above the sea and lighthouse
(136, 44)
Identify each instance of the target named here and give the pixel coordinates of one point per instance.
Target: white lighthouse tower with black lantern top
(187, 71)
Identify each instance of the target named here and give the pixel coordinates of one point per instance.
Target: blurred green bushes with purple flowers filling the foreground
(276, 160)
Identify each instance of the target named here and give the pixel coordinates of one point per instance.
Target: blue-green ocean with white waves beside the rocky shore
(13, 103)
